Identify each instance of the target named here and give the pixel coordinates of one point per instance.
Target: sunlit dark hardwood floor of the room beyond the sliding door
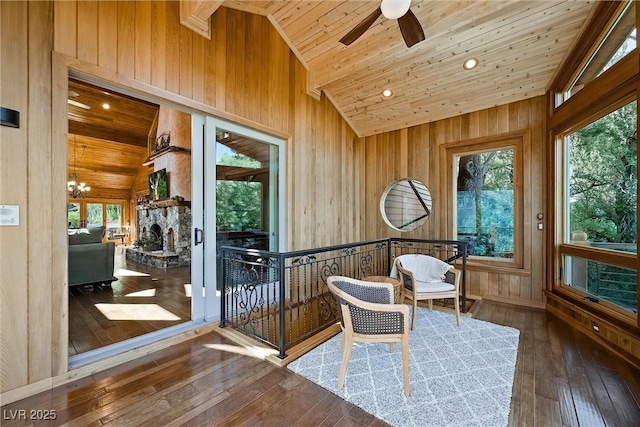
(143, 299)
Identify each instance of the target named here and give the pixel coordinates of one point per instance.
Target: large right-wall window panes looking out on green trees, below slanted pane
(601, 206)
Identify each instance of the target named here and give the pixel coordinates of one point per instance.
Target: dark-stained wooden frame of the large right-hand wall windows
(612, 89)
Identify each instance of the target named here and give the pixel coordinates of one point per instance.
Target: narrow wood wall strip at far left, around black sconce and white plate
(14, 302)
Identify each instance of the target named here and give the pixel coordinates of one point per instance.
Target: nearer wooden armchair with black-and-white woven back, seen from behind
(369, 315)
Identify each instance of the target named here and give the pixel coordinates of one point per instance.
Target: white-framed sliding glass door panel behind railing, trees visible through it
(244, 195)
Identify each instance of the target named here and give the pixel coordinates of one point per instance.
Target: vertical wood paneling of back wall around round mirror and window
(527, 116)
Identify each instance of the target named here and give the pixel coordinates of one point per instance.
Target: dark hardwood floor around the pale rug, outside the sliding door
(562, 379)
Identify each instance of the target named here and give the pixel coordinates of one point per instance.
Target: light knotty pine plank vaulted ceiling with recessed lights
(519, 45)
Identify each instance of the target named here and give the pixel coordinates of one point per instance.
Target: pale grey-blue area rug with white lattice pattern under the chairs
(458, 376)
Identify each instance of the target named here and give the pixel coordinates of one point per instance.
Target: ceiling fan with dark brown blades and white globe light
(391, 9)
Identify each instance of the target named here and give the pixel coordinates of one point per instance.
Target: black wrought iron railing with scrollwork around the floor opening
(282, 299)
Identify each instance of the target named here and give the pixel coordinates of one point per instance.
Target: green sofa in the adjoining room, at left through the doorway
(90, 261)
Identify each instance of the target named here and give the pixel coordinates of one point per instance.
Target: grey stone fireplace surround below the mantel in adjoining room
(177, 218)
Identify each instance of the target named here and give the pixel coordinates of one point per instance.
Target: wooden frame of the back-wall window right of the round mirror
(518, 141)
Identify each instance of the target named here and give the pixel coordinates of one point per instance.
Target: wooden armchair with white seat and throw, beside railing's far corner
(416, 285)
